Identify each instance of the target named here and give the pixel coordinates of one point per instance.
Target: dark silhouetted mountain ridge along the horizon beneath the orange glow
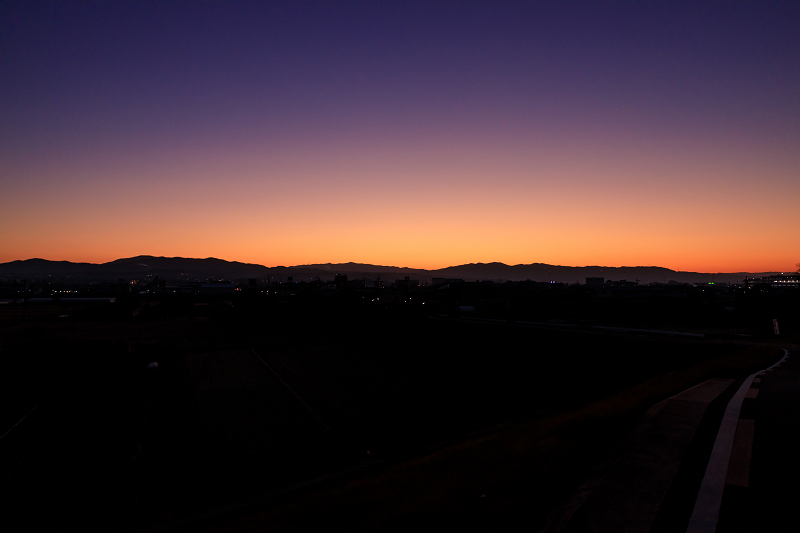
(145, 266)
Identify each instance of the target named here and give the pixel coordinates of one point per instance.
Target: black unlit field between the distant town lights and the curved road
(295, 420)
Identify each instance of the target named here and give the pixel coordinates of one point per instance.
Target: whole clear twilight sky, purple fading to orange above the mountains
(418, 134)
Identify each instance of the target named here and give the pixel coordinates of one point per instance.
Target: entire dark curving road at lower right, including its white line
(723, 456)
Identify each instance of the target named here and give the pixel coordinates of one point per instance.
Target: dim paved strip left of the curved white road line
(642, 488)
